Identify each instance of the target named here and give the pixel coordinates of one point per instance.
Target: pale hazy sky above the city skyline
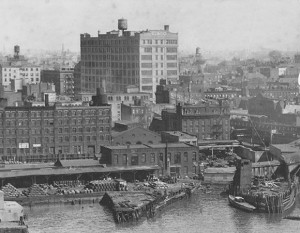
(209, 24)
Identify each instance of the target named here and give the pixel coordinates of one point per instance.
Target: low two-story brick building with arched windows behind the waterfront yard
(183, 158)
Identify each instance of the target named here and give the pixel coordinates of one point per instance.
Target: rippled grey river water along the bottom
(200, 213)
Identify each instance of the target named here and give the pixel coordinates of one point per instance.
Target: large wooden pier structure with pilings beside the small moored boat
(280, 197)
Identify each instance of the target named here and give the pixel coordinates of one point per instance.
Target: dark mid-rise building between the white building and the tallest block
(63, 80)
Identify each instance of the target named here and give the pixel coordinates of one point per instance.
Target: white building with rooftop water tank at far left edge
(17, 72)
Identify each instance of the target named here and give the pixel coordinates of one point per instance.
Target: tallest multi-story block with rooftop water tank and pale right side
(122, 58)
